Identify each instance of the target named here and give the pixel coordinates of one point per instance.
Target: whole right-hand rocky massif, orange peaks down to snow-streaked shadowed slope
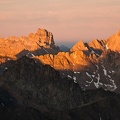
(93, 65)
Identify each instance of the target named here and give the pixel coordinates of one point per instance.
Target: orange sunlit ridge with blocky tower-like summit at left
(38, 43)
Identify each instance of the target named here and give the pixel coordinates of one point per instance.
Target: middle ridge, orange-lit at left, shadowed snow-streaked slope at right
(89, 71)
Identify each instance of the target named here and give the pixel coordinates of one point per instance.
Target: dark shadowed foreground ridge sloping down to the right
(32, 91)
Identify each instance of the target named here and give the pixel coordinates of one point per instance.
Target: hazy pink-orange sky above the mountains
(68, 20)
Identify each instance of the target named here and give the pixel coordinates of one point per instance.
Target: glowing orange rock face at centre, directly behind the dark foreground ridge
(63, 61)
